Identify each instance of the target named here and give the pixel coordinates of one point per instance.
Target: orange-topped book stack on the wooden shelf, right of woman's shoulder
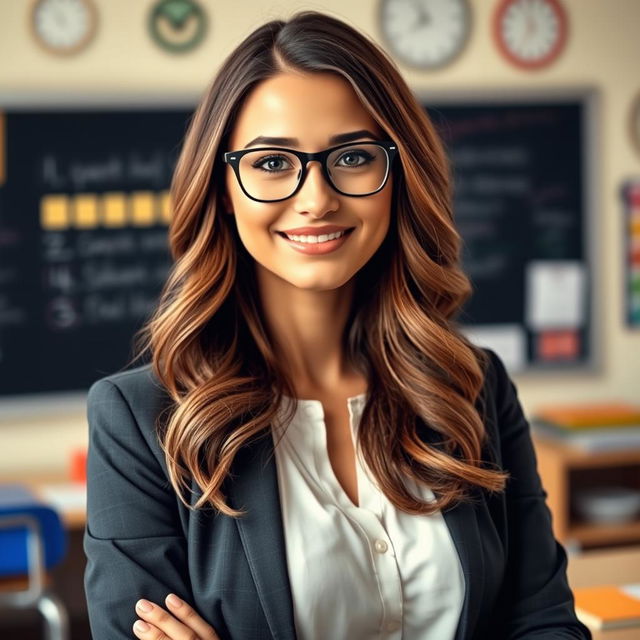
(590, 427)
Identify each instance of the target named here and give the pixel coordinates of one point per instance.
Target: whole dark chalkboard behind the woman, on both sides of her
(84, 211)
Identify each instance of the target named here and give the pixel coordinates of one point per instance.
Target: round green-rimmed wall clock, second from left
(177, 25)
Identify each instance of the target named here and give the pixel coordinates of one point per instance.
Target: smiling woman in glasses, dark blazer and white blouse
(315, 450)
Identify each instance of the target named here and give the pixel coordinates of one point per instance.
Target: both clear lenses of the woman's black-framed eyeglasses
(272, 174)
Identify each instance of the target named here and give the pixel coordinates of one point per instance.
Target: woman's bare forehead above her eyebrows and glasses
(310, 107)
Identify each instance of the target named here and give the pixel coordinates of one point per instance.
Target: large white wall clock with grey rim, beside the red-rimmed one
(425, 33)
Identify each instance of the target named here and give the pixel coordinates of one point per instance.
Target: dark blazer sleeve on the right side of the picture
(537, 601)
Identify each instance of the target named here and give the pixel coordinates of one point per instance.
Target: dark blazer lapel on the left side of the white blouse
(254, 488)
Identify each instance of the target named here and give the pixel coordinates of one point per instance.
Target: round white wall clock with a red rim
(530, 33)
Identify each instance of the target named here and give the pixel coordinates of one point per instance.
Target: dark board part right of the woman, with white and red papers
(524, 191)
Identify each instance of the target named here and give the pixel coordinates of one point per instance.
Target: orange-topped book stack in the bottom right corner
(609, 606)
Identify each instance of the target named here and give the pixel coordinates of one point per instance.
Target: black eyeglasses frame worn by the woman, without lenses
(233, 159)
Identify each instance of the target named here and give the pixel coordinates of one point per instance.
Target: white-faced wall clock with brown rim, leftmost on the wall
(63, 26)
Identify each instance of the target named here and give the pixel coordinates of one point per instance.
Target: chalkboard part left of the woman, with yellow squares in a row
(84, 209)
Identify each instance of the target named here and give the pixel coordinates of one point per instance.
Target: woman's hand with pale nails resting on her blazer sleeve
(181, 623)
